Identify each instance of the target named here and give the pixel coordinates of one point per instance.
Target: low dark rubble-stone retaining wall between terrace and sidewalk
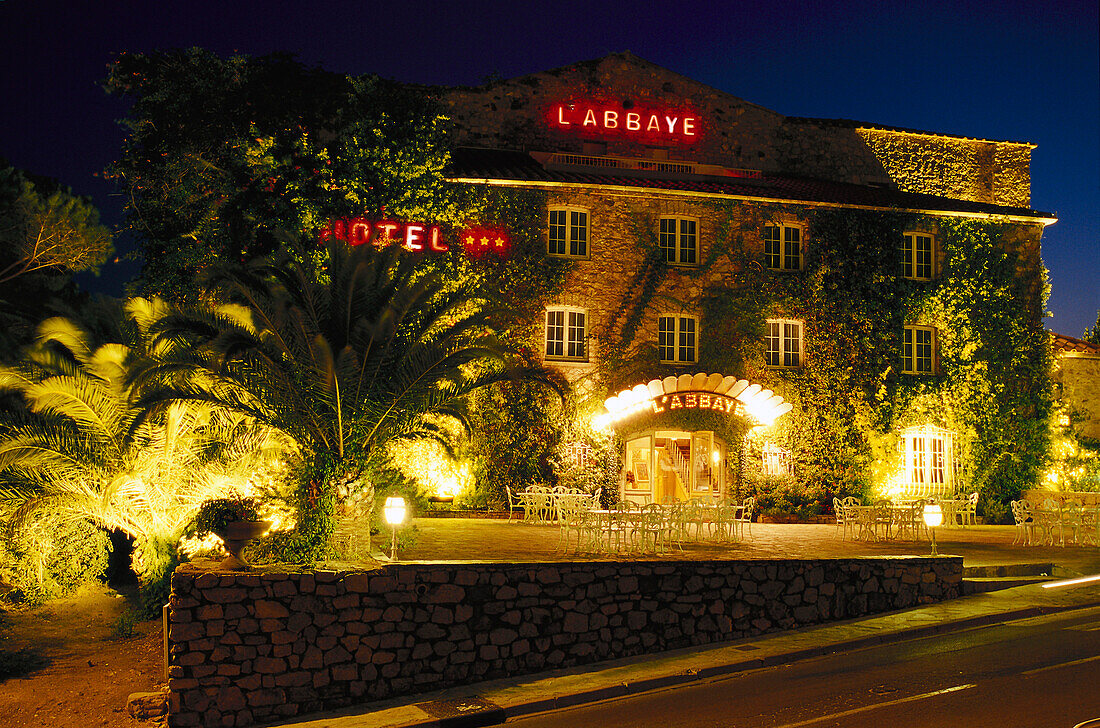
(256, 647)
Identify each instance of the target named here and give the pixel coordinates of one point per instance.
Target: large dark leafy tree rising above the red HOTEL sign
(230, 160)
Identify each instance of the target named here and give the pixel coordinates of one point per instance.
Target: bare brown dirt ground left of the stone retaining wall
(91, 674)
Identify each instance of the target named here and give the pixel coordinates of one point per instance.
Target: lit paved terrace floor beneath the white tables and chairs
(493, 541)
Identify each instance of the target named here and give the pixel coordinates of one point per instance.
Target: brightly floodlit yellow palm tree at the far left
(81, 449)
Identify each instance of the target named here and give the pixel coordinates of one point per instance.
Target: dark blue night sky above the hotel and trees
(1002, 71)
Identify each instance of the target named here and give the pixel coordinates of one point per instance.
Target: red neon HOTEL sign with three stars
(415, 237)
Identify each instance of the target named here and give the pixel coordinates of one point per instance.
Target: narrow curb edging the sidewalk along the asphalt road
(498, 715)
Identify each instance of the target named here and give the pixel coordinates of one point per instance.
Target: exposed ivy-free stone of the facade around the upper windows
(623, 227)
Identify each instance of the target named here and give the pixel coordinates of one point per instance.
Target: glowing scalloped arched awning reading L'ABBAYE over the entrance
(711, 392)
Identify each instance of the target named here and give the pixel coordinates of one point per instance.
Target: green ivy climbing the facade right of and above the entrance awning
(851, 398)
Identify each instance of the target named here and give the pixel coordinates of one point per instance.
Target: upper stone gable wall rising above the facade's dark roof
(515, 115)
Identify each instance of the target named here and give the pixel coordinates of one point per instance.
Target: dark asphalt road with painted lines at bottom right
(1043, 672)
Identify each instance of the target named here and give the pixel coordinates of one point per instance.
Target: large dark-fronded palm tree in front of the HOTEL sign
(346, 360)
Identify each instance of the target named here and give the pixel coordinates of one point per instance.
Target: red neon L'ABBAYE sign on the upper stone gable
(621, 119)
